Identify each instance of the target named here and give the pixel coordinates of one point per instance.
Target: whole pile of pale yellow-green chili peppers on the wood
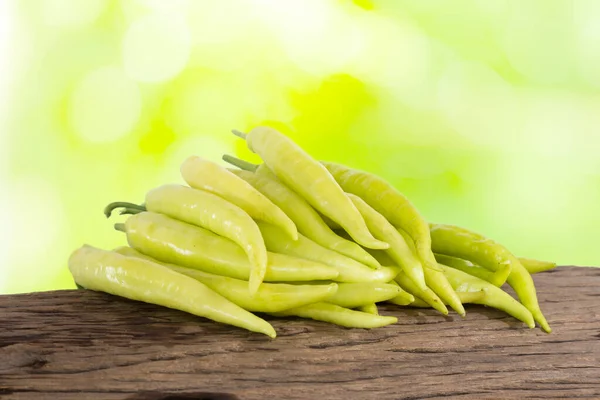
(294, 236)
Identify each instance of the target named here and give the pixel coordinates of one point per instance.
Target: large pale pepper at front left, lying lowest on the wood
(142, 280)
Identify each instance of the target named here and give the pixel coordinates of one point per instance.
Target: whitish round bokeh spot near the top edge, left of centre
(156, 47)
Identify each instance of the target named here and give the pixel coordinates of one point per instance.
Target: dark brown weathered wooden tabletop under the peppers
(82, 344)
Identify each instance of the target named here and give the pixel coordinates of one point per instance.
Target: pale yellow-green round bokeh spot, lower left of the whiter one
(105, 105)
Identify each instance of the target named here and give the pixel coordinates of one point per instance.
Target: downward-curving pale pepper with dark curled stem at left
(209, 211)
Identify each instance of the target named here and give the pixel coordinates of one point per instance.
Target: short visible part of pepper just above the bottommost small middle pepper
(352, 295)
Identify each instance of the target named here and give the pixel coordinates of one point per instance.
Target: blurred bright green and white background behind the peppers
(485, 113)
